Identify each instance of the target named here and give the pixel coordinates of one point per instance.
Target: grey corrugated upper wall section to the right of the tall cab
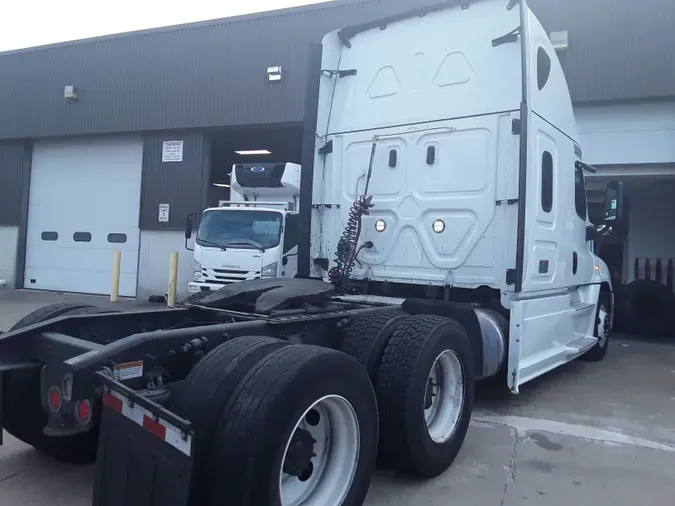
(617, 49)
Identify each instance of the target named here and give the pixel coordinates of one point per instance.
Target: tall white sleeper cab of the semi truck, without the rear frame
(449, 167)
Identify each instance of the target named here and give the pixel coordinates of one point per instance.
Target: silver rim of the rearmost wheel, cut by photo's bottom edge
(323, 474)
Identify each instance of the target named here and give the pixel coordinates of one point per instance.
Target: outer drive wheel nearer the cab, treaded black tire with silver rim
(425, 387)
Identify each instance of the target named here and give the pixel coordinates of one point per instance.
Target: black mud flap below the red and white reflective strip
(136, 468)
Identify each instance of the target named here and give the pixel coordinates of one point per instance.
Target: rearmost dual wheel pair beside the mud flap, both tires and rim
(258, 419)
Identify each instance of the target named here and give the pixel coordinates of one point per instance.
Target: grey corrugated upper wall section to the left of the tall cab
(211, 75)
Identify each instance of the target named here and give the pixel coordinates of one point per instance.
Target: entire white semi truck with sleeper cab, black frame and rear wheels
(444, 221)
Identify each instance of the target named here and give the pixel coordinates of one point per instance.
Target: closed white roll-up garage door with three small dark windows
(84, 204)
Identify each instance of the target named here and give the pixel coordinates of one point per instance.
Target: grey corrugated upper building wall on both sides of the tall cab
(214, 74)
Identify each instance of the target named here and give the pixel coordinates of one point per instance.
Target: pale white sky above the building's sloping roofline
(27, 23)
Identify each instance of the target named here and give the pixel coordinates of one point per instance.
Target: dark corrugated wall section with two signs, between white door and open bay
(182, 185)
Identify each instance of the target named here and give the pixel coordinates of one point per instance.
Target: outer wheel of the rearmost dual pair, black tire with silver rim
(300, 429)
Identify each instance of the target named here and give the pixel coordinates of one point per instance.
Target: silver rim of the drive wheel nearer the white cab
(444, 397)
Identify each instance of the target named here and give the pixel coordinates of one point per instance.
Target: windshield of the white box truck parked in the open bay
(240, 229)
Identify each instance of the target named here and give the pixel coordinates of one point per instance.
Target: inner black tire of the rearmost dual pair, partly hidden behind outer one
(204, 392)
